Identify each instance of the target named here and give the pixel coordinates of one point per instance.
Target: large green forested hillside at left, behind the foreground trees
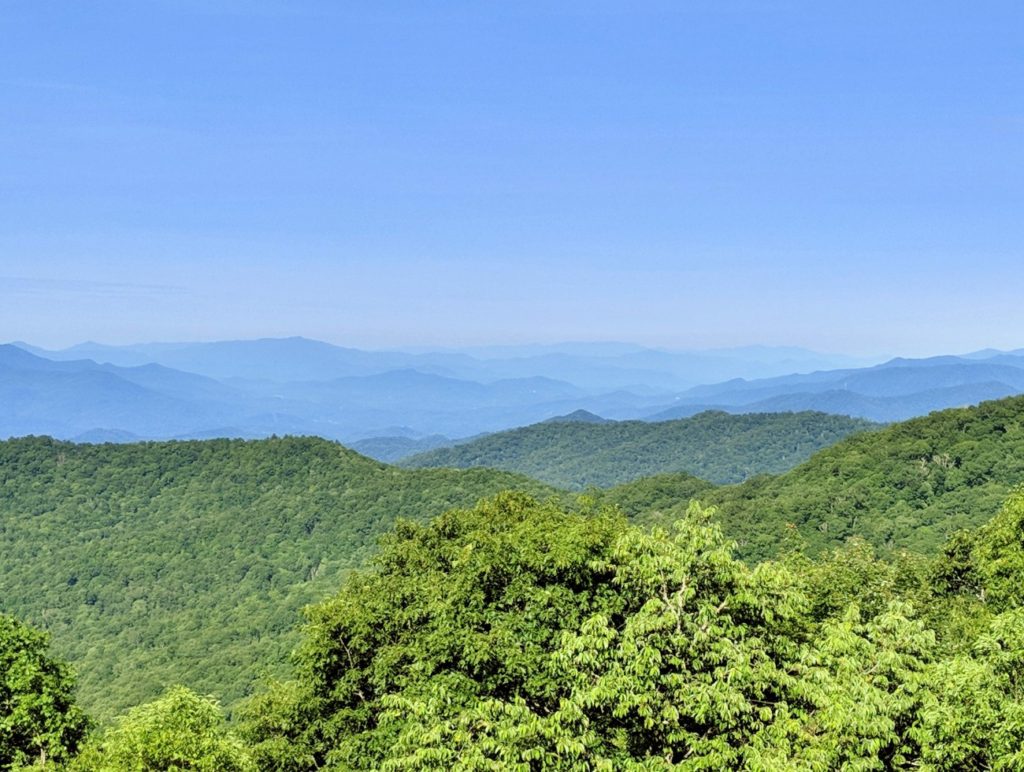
(188, 563)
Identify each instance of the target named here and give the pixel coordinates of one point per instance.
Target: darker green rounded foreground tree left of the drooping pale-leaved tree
(473, 605)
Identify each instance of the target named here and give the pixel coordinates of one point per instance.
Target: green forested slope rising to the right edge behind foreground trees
(909, 486)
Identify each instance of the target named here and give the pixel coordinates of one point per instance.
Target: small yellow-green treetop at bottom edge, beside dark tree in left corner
(179, 732)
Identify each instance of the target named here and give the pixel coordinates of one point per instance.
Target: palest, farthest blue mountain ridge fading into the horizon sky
(599, 367)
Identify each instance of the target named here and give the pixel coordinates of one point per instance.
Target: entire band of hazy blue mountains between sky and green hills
(411, 402)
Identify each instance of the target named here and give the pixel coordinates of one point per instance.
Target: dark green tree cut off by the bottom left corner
(39, 720)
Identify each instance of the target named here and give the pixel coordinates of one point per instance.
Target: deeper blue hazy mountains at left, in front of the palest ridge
(79, 399)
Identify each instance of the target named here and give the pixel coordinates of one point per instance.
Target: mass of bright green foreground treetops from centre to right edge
(521, 636)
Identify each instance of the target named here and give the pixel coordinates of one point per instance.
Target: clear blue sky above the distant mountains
(844, 177)
